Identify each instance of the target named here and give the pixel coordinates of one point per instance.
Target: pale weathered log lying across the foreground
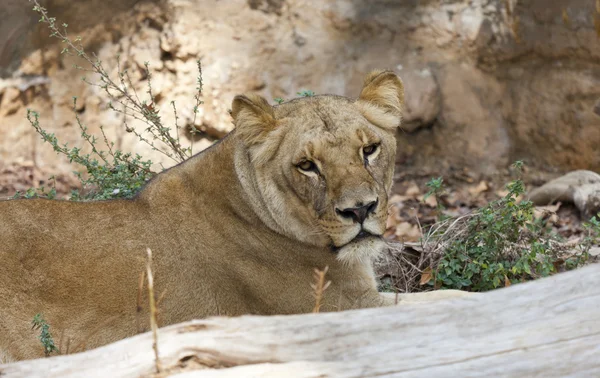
(549, 328)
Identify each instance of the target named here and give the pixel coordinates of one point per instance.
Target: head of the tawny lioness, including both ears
(321, 167)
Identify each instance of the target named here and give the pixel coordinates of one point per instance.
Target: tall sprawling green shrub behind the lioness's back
(109, 172)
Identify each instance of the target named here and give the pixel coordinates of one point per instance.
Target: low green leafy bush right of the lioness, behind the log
(497, 245)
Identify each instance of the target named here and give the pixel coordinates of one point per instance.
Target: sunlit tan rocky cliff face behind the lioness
(487, 81)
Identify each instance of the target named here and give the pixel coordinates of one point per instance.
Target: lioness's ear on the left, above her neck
(253, 118)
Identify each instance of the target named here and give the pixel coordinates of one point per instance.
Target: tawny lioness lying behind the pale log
(237, 229)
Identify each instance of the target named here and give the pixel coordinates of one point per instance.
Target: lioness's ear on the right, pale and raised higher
(382, 99)
